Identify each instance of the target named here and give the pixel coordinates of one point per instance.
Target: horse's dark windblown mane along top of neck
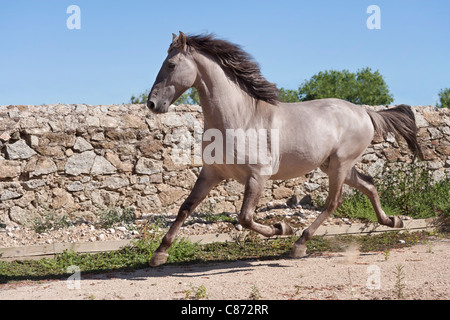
(239, 64)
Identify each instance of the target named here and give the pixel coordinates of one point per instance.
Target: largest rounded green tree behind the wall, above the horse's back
(362, 87)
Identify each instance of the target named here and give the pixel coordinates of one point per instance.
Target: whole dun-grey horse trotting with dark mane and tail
(330, 134)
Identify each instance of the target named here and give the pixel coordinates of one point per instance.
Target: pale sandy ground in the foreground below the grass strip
(351, 275)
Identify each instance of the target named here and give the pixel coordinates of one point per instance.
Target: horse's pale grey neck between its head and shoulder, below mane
(224, 104)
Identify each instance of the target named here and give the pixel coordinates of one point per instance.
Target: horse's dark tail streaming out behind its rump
(399, 120)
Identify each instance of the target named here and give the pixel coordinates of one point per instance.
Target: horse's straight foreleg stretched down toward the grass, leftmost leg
(202, 187)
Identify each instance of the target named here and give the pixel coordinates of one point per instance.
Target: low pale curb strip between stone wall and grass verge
(41, 251)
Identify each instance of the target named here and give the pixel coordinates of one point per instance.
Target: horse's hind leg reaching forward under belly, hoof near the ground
(337, 172)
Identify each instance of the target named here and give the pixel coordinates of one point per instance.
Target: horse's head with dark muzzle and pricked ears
(177, 74)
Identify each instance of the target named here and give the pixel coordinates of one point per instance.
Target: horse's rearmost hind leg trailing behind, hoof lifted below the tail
(365, 184)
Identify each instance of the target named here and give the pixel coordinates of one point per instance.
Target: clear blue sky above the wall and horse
(121, 44)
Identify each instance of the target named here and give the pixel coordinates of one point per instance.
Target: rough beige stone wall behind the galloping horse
(79, 160)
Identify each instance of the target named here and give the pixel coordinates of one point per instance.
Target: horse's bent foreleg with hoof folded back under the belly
(253, 190)
